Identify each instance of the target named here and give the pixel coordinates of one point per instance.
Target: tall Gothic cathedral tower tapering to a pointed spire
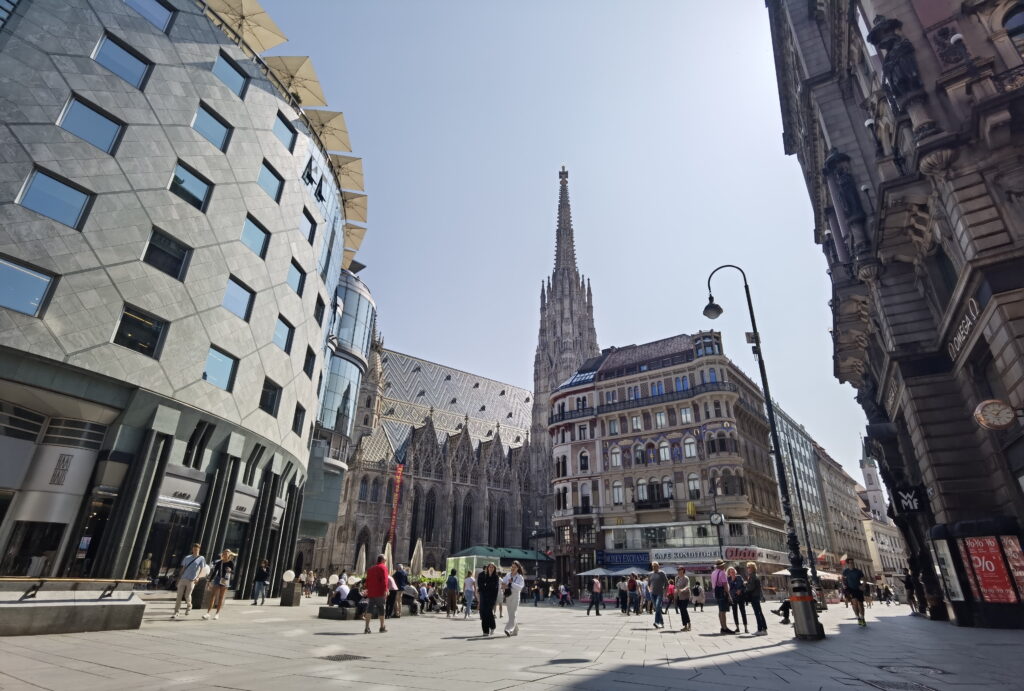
(567, 339)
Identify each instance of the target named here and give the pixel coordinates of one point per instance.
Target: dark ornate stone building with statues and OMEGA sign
(906, 117)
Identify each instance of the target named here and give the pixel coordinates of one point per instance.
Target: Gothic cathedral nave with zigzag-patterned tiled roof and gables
(461, 443)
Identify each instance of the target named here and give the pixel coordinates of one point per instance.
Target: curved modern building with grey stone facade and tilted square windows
(174, 227)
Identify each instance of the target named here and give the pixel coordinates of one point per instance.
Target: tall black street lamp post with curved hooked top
(806, 625)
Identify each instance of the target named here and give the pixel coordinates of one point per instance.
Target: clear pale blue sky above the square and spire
(666, 114)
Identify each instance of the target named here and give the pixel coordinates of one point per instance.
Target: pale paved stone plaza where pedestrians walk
(273, 647)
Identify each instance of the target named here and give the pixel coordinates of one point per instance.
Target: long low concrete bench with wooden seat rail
(35, 607)
